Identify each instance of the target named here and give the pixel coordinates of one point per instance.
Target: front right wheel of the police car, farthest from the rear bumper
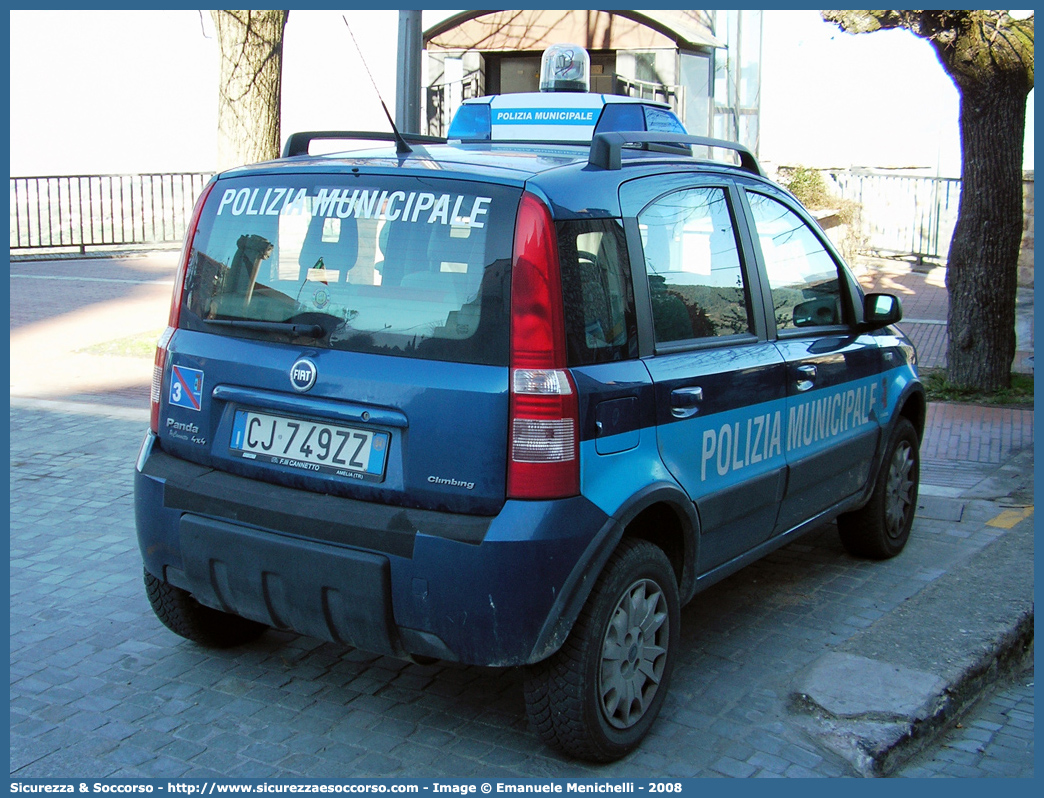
(881, 530)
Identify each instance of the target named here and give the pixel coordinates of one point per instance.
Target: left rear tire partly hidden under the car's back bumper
(184, 616)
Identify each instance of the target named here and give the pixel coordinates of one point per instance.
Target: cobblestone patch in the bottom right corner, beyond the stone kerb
(996, 739)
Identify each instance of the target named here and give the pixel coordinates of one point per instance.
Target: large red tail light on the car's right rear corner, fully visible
(544, 426)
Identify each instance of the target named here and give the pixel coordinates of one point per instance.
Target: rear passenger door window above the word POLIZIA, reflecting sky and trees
(696, 279)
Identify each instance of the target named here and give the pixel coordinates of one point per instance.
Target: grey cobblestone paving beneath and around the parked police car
(100, 689)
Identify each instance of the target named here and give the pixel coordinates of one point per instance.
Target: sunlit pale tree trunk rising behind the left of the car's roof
(249, 97)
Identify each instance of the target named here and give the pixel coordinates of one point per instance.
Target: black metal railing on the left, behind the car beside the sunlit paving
(103, 210)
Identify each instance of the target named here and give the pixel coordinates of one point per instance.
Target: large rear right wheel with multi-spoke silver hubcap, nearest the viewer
(598, 697)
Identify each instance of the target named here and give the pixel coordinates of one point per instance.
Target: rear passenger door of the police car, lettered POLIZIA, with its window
(719, 383)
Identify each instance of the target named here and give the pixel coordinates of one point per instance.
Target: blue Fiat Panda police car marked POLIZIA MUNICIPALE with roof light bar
(514, 400)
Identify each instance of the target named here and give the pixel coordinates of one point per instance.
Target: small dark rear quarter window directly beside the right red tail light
(597, 291)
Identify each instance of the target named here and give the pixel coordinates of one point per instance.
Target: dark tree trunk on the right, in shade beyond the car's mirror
(982, 273)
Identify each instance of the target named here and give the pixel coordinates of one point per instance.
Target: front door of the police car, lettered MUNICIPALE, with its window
(833, 372)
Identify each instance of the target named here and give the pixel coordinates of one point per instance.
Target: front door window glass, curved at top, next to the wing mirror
(802, 276)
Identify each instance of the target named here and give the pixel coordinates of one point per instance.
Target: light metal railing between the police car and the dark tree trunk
(904, 216)
